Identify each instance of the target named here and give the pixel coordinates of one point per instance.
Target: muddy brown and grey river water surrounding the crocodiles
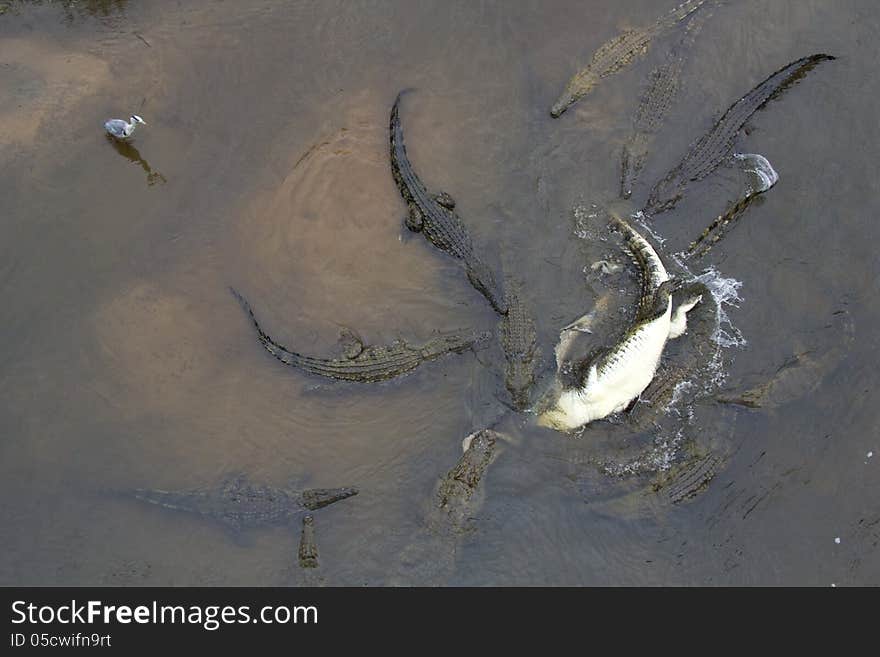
(124, 362)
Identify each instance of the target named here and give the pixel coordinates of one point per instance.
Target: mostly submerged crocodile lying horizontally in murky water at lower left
(239, 504)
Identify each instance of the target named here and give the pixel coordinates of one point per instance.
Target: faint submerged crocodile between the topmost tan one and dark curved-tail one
(663, 89)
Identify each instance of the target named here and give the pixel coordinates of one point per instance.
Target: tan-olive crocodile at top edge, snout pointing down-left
(618, 53)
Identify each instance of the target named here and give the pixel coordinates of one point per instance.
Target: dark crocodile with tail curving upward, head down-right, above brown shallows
(434, 216)
